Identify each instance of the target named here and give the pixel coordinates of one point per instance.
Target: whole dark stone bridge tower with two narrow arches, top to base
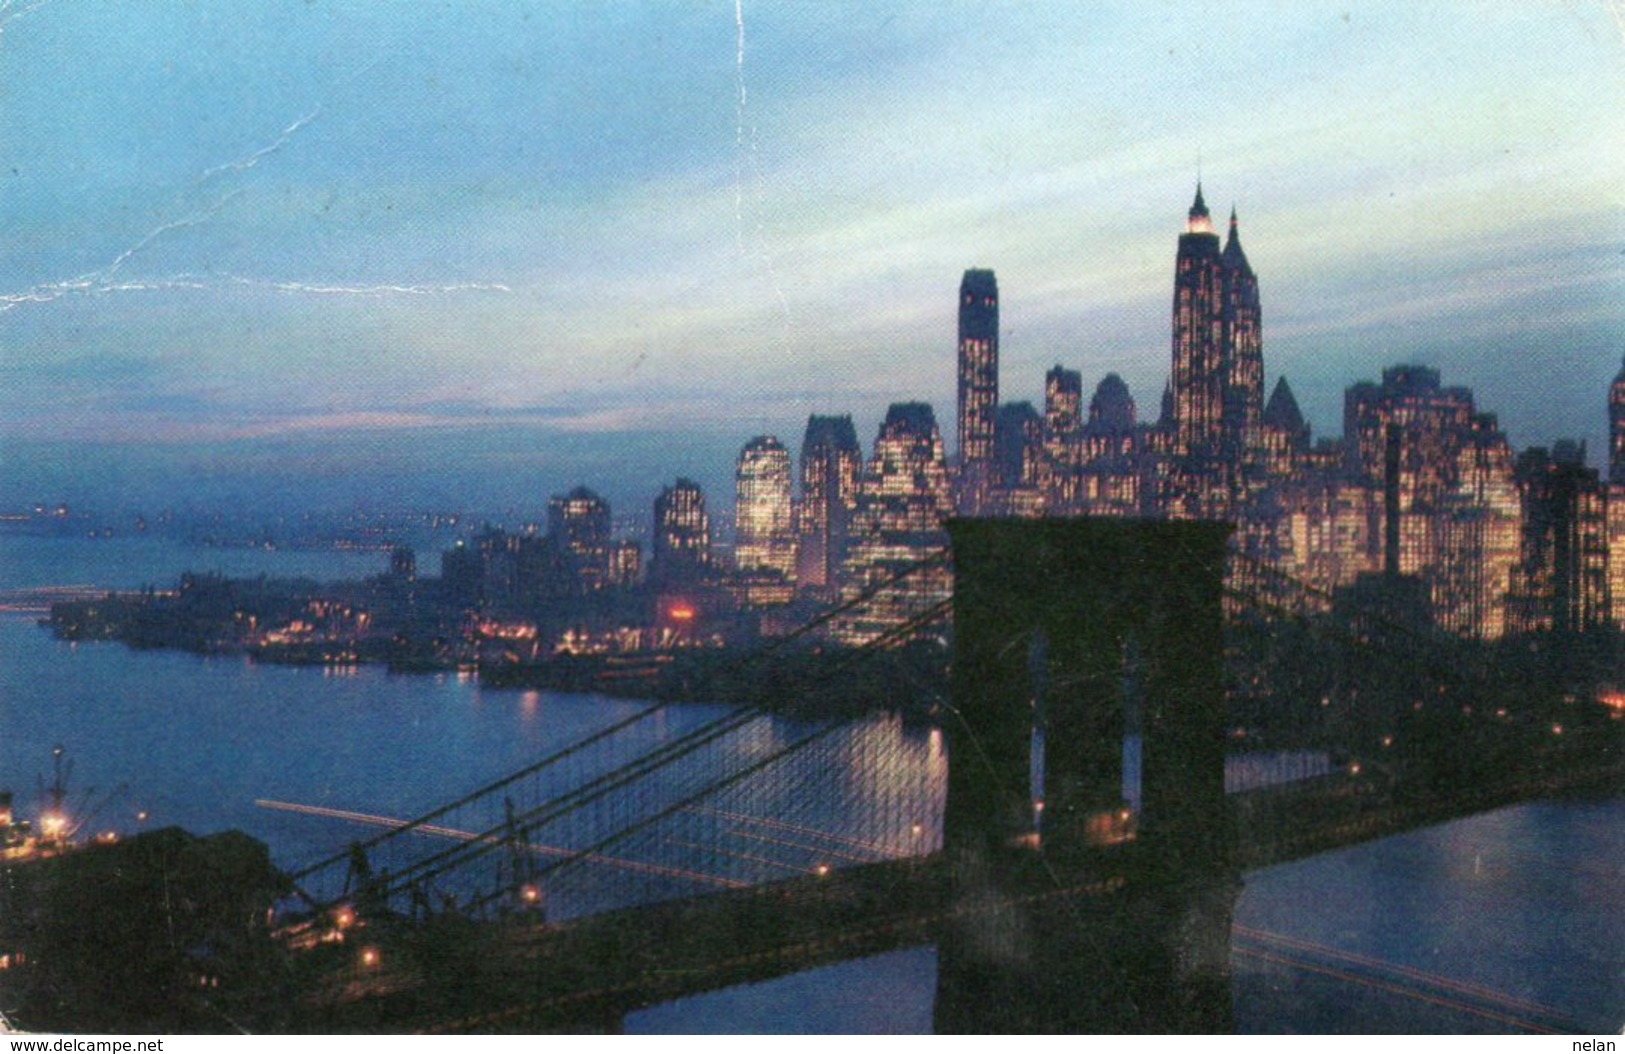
(1072, 636)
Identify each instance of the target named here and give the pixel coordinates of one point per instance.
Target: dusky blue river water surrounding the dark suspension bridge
(1506, 922)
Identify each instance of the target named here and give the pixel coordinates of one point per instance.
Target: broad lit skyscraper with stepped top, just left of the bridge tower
(898, 527)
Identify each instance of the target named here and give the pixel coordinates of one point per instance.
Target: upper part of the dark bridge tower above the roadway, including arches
(1088, 676)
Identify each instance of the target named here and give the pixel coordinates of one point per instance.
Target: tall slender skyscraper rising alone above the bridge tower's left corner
(979, 382)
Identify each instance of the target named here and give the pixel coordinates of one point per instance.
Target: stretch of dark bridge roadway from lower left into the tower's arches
(516, 975)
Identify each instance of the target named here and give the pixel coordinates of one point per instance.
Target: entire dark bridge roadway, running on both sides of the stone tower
(521, 975)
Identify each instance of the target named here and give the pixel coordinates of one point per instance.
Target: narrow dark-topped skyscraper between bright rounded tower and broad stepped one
(831, 465)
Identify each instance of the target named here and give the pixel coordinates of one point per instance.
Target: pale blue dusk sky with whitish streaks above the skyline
(248, 228)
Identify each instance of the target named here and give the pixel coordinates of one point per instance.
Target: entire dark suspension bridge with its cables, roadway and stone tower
(1075, 853)
